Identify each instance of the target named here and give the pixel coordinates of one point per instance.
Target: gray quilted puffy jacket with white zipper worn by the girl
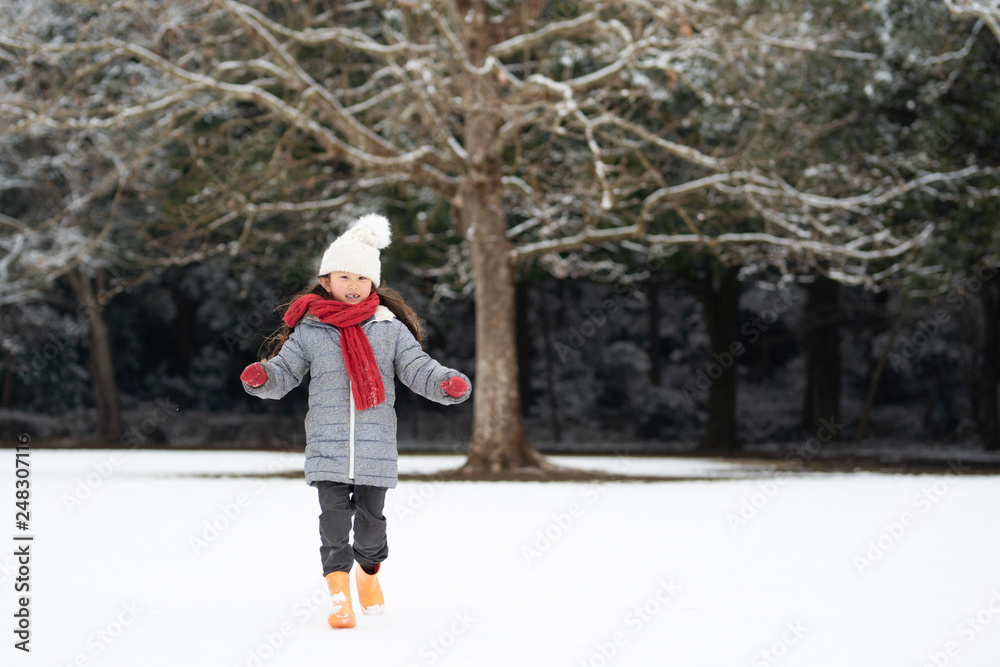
(344, 444)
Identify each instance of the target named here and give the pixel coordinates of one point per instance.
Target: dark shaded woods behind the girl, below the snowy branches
(601, 363)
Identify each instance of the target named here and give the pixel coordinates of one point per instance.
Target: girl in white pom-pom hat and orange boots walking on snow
(353, 339)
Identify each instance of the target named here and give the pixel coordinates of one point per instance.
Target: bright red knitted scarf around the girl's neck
(362, 369)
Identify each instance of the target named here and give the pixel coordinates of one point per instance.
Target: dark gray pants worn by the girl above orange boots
(339, 503)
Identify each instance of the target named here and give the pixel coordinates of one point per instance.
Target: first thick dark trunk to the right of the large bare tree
(721, 307)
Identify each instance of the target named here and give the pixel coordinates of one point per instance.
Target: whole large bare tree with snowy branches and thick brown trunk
(553, 130)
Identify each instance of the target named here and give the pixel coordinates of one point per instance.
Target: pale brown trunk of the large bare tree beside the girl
(498, 440)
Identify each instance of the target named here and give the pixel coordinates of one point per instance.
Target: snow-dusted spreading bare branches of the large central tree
(606, 123)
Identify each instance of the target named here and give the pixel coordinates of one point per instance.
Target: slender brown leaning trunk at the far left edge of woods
(102, 370)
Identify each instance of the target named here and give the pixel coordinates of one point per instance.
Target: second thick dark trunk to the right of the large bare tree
(823, 367)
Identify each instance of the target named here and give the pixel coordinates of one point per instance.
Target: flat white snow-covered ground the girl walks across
(166, 559)
